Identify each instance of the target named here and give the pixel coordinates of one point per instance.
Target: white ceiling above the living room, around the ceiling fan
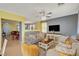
(31, 10)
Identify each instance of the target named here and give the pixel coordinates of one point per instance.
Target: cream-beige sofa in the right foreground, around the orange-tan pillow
(61, 50)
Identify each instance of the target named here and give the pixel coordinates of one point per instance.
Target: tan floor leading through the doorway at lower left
(13, 48)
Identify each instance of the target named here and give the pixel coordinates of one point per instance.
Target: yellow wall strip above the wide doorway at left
(11, 16)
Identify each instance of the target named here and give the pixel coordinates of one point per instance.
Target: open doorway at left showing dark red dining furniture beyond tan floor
(14, 40)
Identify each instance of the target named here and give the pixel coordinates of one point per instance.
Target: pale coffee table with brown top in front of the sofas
(46, 44)
